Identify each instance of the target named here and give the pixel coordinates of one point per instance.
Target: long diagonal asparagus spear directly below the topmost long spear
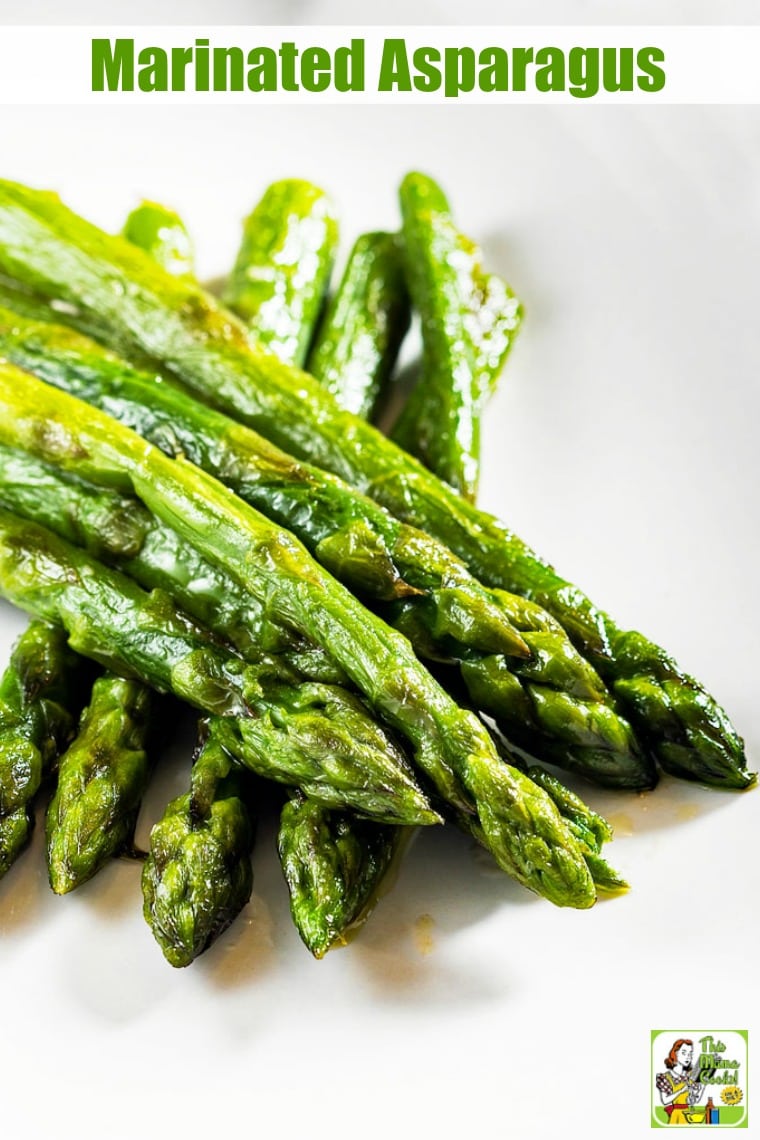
(348, 533)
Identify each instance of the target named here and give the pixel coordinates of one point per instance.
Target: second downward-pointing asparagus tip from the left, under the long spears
(102, 780)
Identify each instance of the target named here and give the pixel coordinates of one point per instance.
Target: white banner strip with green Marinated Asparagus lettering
(380, 66)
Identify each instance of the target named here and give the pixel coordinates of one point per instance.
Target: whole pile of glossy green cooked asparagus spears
(195, 507)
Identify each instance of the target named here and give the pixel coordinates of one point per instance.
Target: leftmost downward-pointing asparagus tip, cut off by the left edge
(39, 698)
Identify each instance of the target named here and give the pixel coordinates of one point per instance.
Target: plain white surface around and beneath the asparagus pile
(623, 445)
